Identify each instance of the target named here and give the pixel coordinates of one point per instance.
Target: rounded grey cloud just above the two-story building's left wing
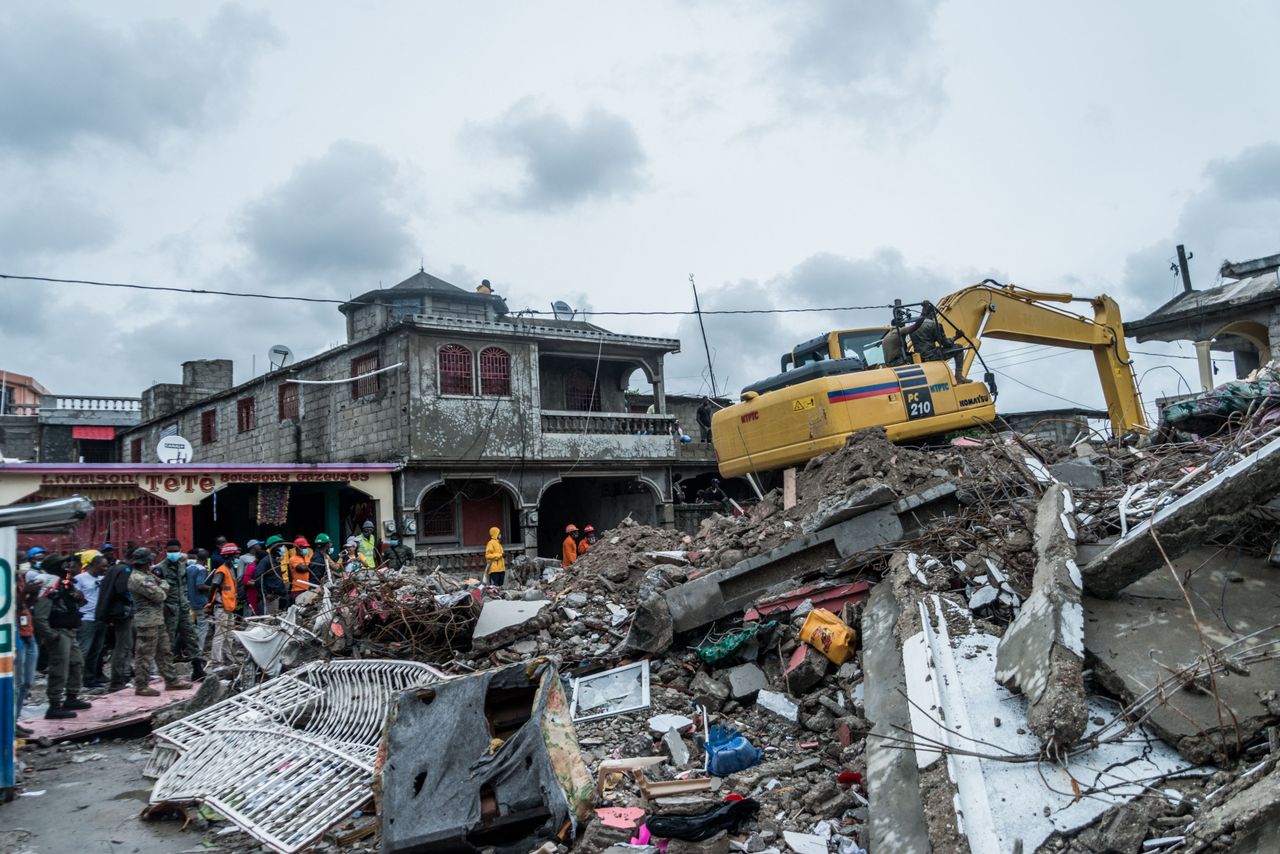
(340, 214)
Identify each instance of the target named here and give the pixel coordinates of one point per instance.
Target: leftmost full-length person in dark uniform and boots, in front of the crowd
(58, 619)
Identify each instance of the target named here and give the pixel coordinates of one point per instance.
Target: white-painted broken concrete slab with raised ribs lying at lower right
(950, 669)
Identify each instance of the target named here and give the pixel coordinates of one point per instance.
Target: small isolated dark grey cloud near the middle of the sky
(565, 163)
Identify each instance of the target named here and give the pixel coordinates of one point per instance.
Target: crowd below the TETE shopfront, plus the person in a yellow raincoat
(97, 622)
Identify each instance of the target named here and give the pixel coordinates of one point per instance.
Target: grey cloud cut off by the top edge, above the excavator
(872, 60)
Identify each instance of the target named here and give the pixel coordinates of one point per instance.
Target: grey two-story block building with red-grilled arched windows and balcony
(492, 419)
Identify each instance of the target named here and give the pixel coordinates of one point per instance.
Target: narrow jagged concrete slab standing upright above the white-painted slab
(1041, 655)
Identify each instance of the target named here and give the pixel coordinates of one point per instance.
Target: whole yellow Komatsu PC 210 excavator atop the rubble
(839, 383)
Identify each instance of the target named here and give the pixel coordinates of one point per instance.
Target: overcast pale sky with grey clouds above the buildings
(812, 154)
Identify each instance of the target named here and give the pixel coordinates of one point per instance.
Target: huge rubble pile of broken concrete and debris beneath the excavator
(971, 647)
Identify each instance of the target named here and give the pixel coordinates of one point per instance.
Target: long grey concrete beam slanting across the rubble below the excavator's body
(724, 592)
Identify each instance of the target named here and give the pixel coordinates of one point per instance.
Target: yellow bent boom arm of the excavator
(1009, 313)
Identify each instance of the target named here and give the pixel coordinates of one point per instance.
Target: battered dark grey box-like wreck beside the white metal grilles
(447, 787)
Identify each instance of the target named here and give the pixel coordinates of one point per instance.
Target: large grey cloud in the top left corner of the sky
(66, 79)
